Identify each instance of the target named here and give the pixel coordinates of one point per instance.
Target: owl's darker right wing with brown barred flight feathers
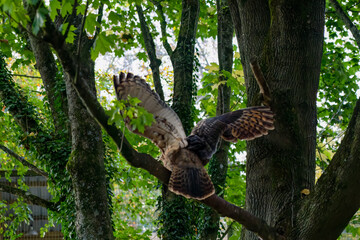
(245, 124)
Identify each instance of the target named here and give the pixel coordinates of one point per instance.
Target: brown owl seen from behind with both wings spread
(186, 156)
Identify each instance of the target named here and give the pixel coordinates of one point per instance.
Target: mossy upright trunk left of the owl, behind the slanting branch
(86, 163)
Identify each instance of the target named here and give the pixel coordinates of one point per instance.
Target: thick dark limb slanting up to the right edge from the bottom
(336, 197)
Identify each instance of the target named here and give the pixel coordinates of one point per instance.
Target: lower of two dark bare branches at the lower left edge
(28, 197)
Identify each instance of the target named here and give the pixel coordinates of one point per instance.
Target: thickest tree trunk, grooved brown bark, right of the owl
(287, 38)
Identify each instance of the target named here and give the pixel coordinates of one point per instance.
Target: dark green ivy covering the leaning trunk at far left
(51, 151)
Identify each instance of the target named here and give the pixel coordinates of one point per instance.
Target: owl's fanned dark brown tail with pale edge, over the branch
(191, 182)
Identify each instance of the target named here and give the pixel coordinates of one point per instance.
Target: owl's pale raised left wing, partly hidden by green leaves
(167, 127)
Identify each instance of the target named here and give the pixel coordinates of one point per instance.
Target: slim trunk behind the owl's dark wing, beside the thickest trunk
(218, 165)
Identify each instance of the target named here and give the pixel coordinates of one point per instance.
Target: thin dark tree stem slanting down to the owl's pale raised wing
(150, 49)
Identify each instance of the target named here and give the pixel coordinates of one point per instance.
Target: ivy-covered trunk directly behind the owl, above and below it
(177, 214)
